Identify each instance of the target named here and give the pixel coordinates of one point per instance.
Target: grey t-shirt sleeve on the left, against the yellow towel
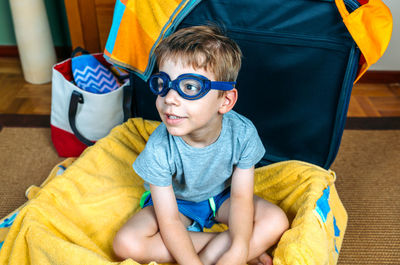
(152, 164)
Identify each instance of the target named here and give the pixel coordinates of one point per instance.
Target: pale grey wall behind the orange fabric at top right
(390, 61)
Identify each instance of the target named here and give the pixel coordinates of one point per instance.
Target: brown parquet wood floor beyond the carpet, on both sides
(20, 97)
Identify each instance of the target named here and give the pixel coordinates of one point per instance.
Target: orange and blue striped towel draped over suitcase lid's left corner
(138, 26)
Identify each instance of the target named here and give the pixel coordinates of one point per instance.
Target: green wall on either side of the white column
(57, 19)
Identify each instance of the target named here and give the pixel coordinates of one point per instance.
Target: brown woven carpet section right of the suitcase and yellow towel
(368, 183)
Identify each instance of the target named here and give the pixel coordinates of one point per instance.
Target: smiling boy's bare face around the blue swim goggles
(198, 122)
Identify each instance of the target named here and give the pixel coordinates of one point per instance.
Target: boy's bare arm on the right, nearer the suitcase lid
(241, 215)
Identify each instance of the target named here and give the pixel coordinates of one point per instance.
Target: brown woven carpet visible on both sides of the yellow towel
(368, 182)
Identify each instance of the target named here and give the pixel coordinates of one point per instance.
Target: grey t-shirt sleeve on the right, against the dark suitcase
(252, 148)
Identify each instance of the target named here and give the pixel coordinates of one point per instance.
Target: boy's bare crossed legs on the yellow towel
(140, 239)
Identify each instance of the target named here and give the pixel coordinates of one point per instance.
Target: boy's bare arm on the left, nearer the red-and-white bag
(173, 232)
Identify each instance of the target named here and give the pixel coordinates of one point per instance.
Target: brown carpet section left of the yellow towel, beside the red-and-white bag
(26, 158)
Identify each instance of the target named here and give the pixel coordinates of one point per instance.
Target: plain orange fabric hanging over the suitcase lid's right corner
(371, 27)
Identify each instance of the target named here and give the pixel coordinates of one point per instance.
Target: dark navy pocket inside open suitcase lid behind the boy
(296, 90)
